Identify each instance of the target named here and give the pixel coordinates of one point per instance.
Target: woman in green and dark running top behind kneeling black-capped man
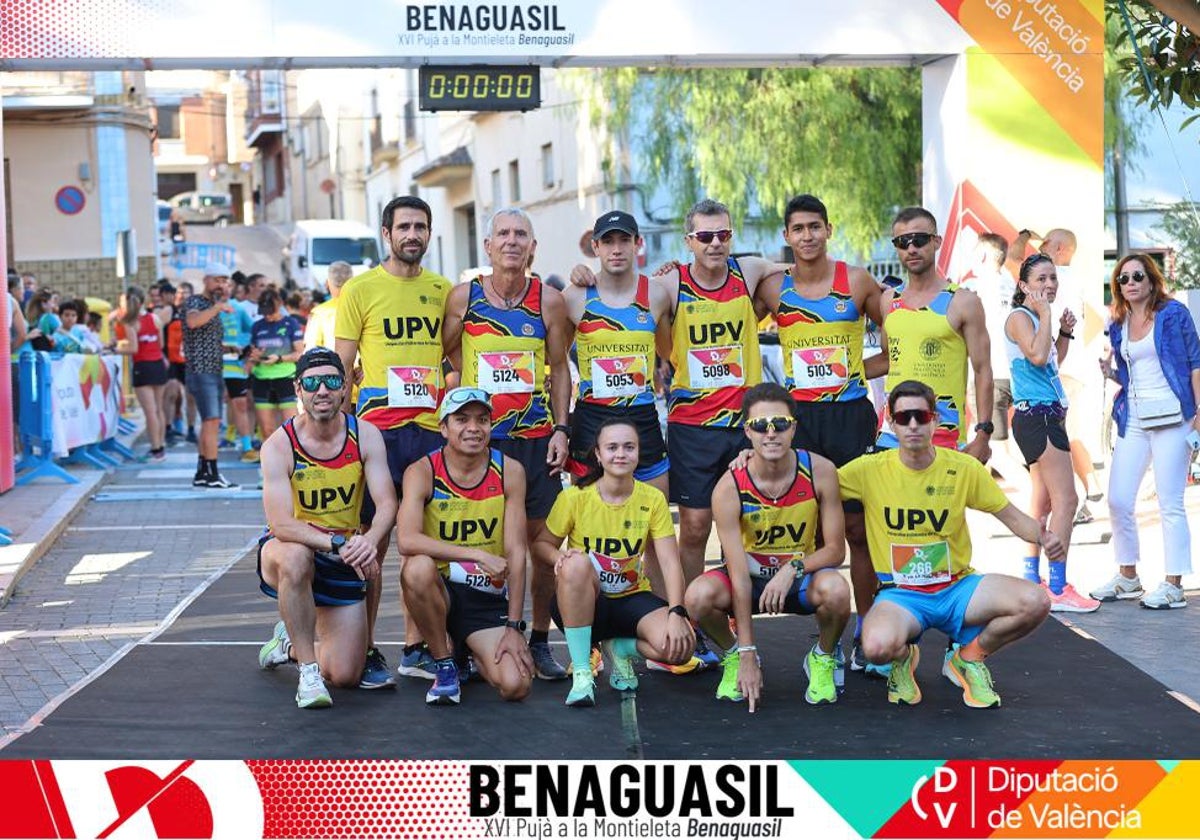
(277, 341)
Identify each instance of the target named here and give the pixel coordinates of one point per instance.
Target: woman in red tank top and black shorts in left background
(140, 337)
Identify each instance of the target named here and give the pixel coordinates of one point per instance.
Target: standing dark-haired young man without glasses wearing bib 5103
(823, 307)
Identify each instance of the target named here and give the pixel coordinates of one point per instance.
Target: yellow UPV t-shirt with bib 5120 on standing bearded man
(398, 323)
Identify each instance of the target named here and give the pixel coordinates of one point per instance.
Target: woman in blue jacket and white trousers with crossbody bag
(1157, 357)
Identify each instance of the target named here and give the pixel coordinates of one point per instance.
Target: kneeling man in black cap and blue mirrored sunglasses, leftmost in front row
(315, 557)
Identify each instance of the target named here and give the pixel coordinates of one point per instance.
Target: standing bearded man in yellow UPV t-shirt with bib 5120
(392, 319)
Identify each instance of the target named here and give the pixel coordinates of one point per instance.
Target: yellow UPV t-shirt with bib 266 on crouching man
(916, 520)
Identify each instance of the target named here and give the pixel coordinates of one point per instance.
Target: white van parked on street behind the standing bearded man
(317, 243)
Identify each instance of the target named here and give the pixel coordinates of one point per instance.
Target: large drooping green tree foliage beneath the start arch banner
(754, 139)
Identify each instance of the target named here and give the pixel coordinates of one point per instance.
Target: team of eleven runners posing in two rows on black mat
(467, 423)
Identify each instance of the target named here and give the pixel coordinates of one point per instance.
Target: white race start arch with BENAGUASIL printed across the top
(1013, 89)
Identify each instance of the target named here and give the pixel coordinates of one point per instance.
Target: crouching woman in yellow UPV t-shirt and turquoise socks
(609, 521)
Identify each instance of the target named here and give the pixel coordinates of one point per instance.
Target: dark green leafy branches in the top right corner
(1169, 53)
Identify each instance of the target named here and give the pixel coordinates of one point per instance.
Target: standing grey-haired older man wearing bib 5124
(503, 332)
